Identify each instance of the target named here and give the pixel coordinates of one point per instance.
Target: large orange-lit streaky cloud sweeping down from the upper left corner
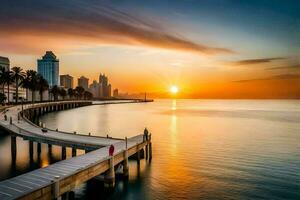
(86, 21)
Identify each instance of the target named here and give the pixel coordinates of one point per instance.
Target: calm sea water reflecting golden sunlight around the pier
(202, 149)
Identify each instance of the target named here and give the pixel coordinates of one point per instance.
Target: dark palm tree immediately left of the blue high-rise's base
(31, 82)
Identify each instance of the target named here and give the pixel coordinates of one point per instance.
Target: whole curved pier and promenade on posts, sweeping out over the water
(63, 177)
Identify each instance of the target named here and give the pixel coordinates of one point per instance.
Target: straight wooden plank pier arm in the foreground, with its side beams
(72, 172)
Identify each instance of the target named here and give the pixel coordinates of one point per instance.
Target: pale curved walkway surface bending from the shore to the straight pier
(27, 130)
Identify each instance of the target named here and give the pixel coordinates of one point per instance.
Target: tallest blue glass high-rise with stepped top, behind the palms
(48, 67)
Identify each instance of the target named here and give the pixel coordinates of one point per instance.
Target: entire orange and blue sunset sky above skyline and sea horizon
(208, 49)
